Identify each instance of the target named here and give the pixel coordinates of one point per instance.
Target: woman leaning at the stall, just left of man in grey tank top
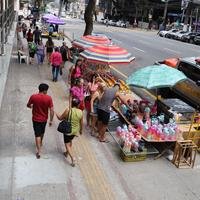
(95, 97)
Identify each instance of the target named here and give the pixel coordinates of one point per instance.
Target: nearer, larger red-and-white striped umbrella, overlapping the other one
(109, 54)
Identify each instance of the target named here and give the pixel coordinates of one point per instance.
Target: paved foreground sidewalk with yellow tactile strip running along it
(99, 175)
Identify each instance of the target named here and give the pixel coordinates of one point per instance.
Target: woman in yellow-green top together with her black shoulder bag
(74, 119)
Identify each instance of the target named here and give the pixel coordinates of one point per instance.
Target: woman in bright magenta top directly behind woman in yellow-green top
(77, 92)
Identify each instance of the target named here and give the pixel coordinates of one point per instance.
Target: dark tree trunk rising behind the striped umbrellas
(88, 17)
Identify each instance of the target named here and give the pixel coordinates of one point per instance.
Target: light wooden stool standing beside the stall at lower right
(184, 154)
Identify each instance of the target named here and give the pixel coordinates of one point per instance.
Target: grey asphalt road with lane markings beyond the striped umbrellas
(146, 46)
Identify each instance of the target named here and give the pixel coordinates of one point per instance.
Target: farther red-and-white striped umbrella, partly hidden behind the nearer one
(90, 40)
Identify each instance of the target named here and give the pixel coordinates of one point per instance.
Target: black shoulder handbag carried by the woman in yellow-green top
(65, 125)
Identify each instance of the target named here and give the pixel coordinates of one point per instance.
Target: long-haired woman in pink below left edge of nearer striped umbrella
(75, 72)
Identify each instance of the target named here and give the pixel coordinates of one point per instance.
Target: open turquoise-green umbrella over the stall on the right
(155, 76)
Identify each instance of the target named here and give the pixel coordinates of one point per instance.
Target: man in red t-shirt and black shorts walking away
(40, 104)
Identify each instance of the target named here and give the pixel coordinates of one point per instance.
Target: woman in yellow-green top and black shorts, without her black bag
(75, 115)
